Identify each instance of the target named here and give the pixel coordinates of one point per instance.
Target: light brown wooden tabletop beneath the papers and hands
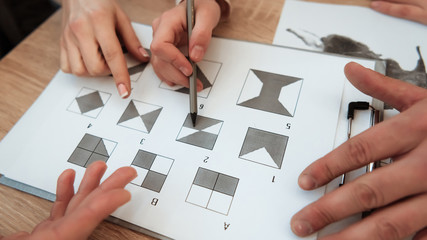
(28, 68)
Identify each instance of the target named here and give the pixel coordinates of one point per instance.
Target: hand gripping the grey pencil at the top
(170, 32)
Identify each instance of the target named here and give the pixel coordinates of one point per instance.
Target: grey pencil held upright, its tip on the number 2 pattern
(193, 76)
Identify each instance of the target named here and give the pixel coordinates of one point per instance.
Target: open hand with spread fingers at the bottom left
(75, 216)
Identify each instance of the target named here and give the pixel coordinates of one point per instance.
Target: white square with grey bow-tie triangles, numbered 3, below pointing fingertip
(140, 116)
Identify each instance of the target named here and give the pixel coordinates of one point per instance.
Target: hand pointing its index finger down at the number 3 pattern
(90, 45)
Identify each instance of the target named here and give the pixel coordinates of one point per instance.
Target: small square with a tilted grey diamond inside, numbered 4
(89, 102)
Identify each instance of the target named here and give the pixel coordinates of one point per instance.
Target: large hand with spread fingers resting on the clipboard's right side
(398, 191)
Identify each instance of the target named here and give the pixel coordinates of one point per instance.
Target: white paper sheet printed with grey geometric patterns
(254, 156)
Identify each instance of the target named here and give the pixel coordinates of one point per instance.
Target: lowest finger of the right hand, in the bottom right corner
(397, 221)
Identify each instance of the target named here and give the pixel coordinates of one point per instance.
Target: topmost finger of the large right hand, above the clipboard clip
(398, 94)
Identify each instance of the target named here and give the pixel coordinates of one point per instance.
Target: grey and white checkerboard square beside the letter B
(152, 170)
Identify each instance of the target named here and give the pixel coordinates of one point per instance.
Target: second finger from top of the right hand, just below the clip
(387, 139)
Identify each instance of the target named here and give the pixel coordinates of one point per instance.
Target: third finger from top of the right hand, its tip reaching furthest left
(382, 187)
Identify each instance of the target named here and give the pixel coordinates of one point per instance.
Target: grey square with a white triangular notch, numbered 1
(263, 147)
